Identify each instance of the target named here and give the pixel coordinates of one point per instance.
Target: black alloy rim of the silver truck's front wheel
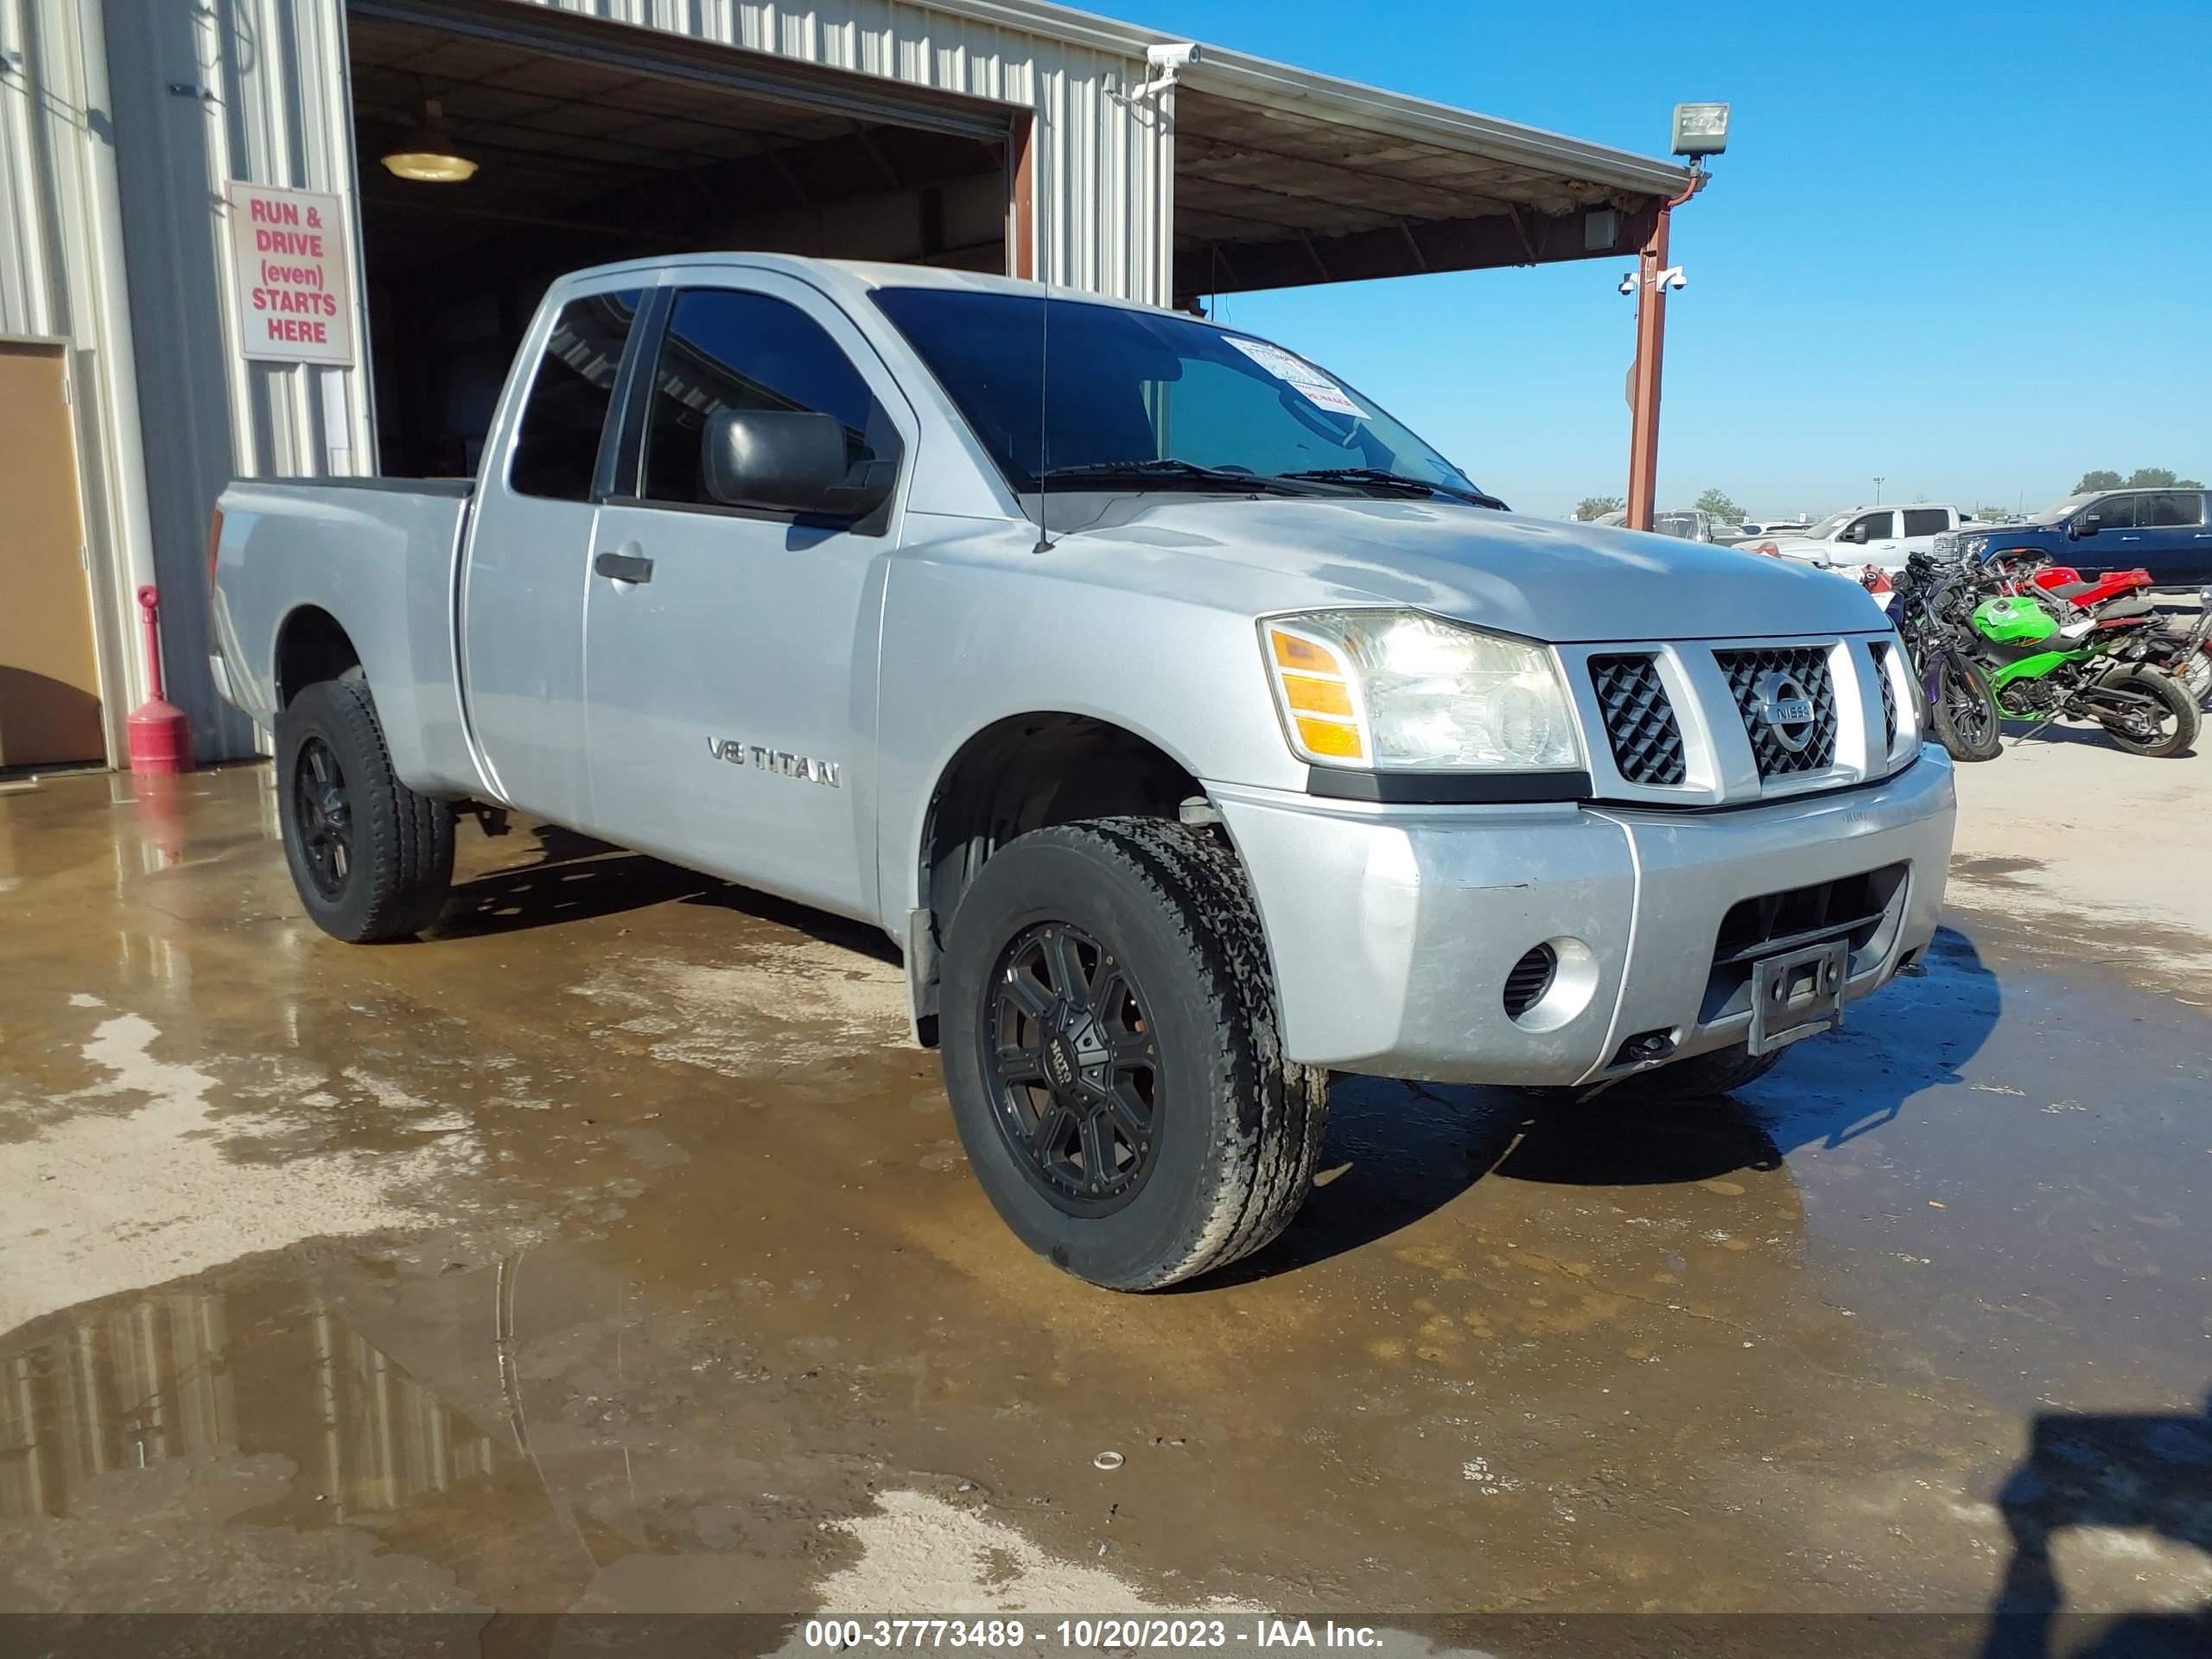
(1074, 1065)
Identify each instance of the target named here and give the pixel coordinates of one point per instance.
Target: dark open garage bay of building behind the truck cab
(589, 147)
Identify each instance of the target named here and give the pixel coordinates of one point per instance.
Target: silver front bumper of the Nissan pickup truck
(1395, 930)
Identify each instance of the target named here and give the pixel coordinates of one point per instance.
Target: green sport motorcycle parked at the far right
(2091, 669)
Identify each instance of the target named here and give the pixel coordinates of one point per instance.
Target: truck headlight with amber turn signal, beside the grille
(1397, 691)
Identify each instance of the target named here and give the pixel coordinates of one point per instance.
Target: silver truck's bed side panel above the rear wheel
(382, 559)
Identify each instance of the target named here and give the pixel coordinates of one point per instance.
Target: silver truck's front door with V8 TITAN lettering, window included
(731, 654)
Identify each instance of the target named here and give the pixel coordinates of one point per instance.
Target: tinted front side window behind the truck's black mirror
(731, 351)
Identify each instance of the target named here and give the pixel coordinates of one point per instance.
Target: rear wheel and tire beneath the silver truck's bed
(371, 857)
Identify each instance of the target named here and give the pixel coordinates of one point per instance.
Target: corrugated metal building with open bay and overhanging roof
(990, 134)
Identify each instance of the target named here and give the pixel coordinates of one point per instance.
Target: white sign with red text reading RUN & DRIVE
(291, 260)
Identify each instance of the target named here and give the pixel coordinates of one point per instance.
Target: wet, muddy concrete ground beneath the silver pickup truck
(612, 1251)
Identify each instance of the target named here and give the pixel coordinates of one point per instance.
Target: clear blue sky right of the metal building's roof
(1968, 249)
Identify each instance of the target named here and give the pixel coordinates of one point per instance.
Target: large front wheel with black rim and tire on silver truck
(1114, 1056)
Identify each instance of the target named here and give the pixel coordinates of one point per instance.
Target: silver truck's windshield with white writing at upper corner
(1145, 399)
